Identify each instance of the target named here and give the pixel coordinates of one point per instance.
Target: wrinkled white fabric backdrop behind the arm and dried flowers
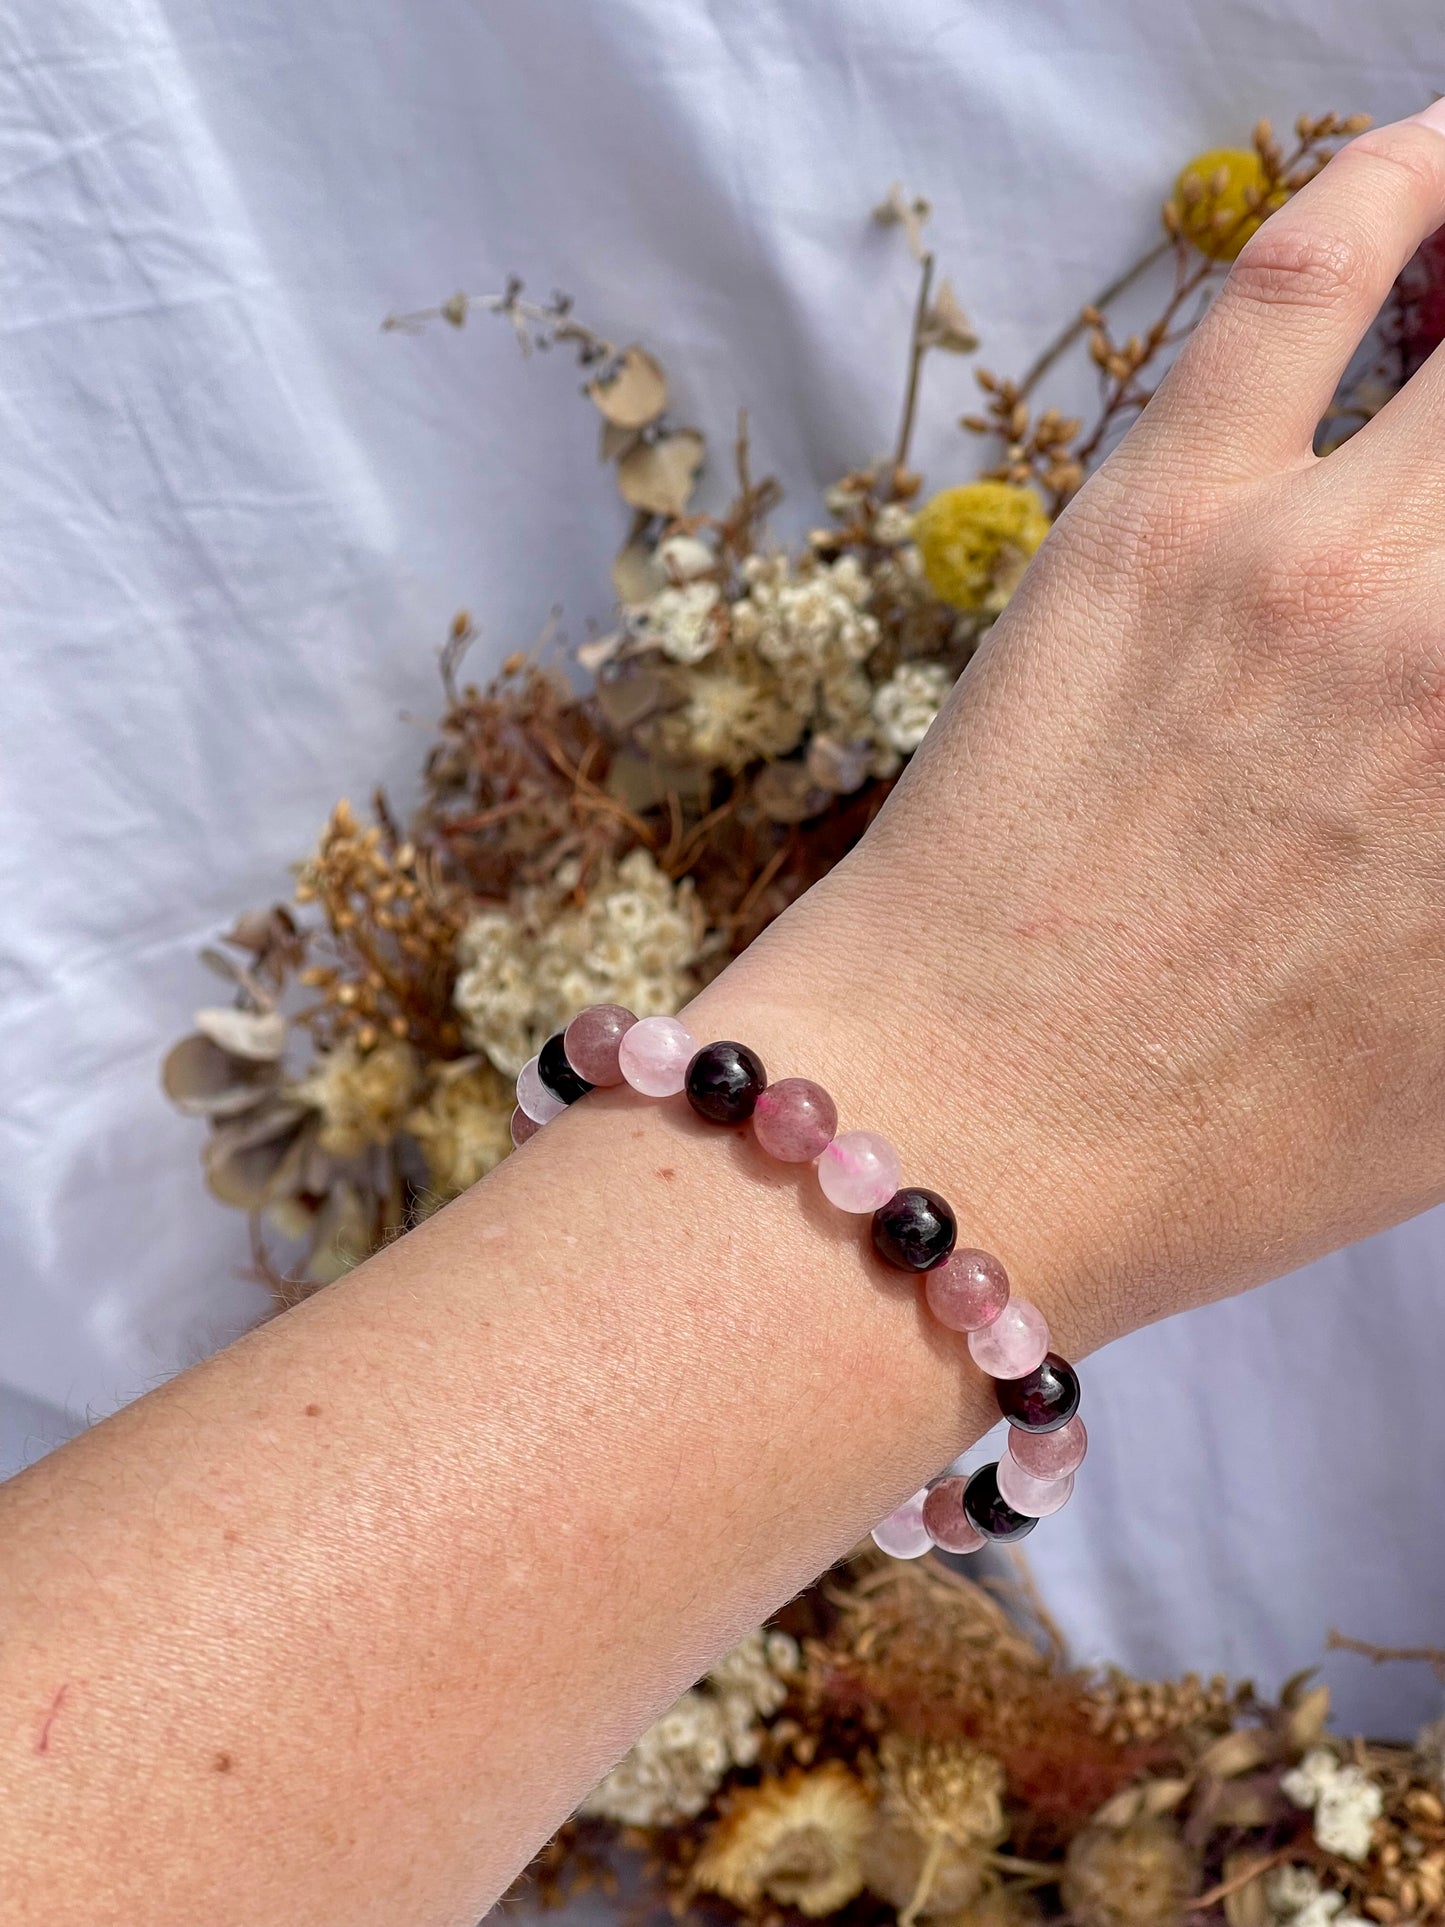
(236, 521)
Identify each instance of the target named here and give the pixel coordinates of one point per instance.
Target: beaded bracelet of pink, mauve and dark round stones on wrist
(797, 1122)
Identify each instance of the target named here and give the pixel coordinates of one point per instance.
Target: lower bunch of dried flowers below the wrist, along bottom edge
(906, 1745)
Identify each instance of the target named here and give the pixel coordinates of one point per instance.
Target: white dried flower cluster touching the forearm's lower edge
(679, 1764)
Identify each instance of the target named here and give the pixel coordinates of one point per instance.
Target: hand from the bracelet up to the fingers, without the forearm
(1155, 926)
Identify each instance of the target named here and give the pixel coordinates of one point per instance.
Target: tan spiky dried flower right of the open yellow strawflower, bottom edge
(941, 1814)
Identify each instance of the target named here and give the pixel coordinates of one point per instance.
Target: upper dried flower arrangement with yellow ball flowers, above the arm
(621, 833)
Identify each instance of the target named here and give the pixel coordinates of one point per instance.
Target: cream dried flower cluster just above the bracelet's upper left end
(527, 972)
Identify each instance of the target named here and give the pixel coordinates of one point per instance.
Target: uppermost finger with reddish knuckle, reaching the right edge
(1259, 373)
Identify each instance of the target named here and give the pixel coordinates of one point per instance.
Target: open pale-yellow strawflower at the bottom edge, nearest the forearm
(797, 1839)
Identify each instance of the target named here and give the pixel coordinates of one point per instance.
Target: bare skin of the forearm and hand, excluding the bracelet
(1142, 968)
